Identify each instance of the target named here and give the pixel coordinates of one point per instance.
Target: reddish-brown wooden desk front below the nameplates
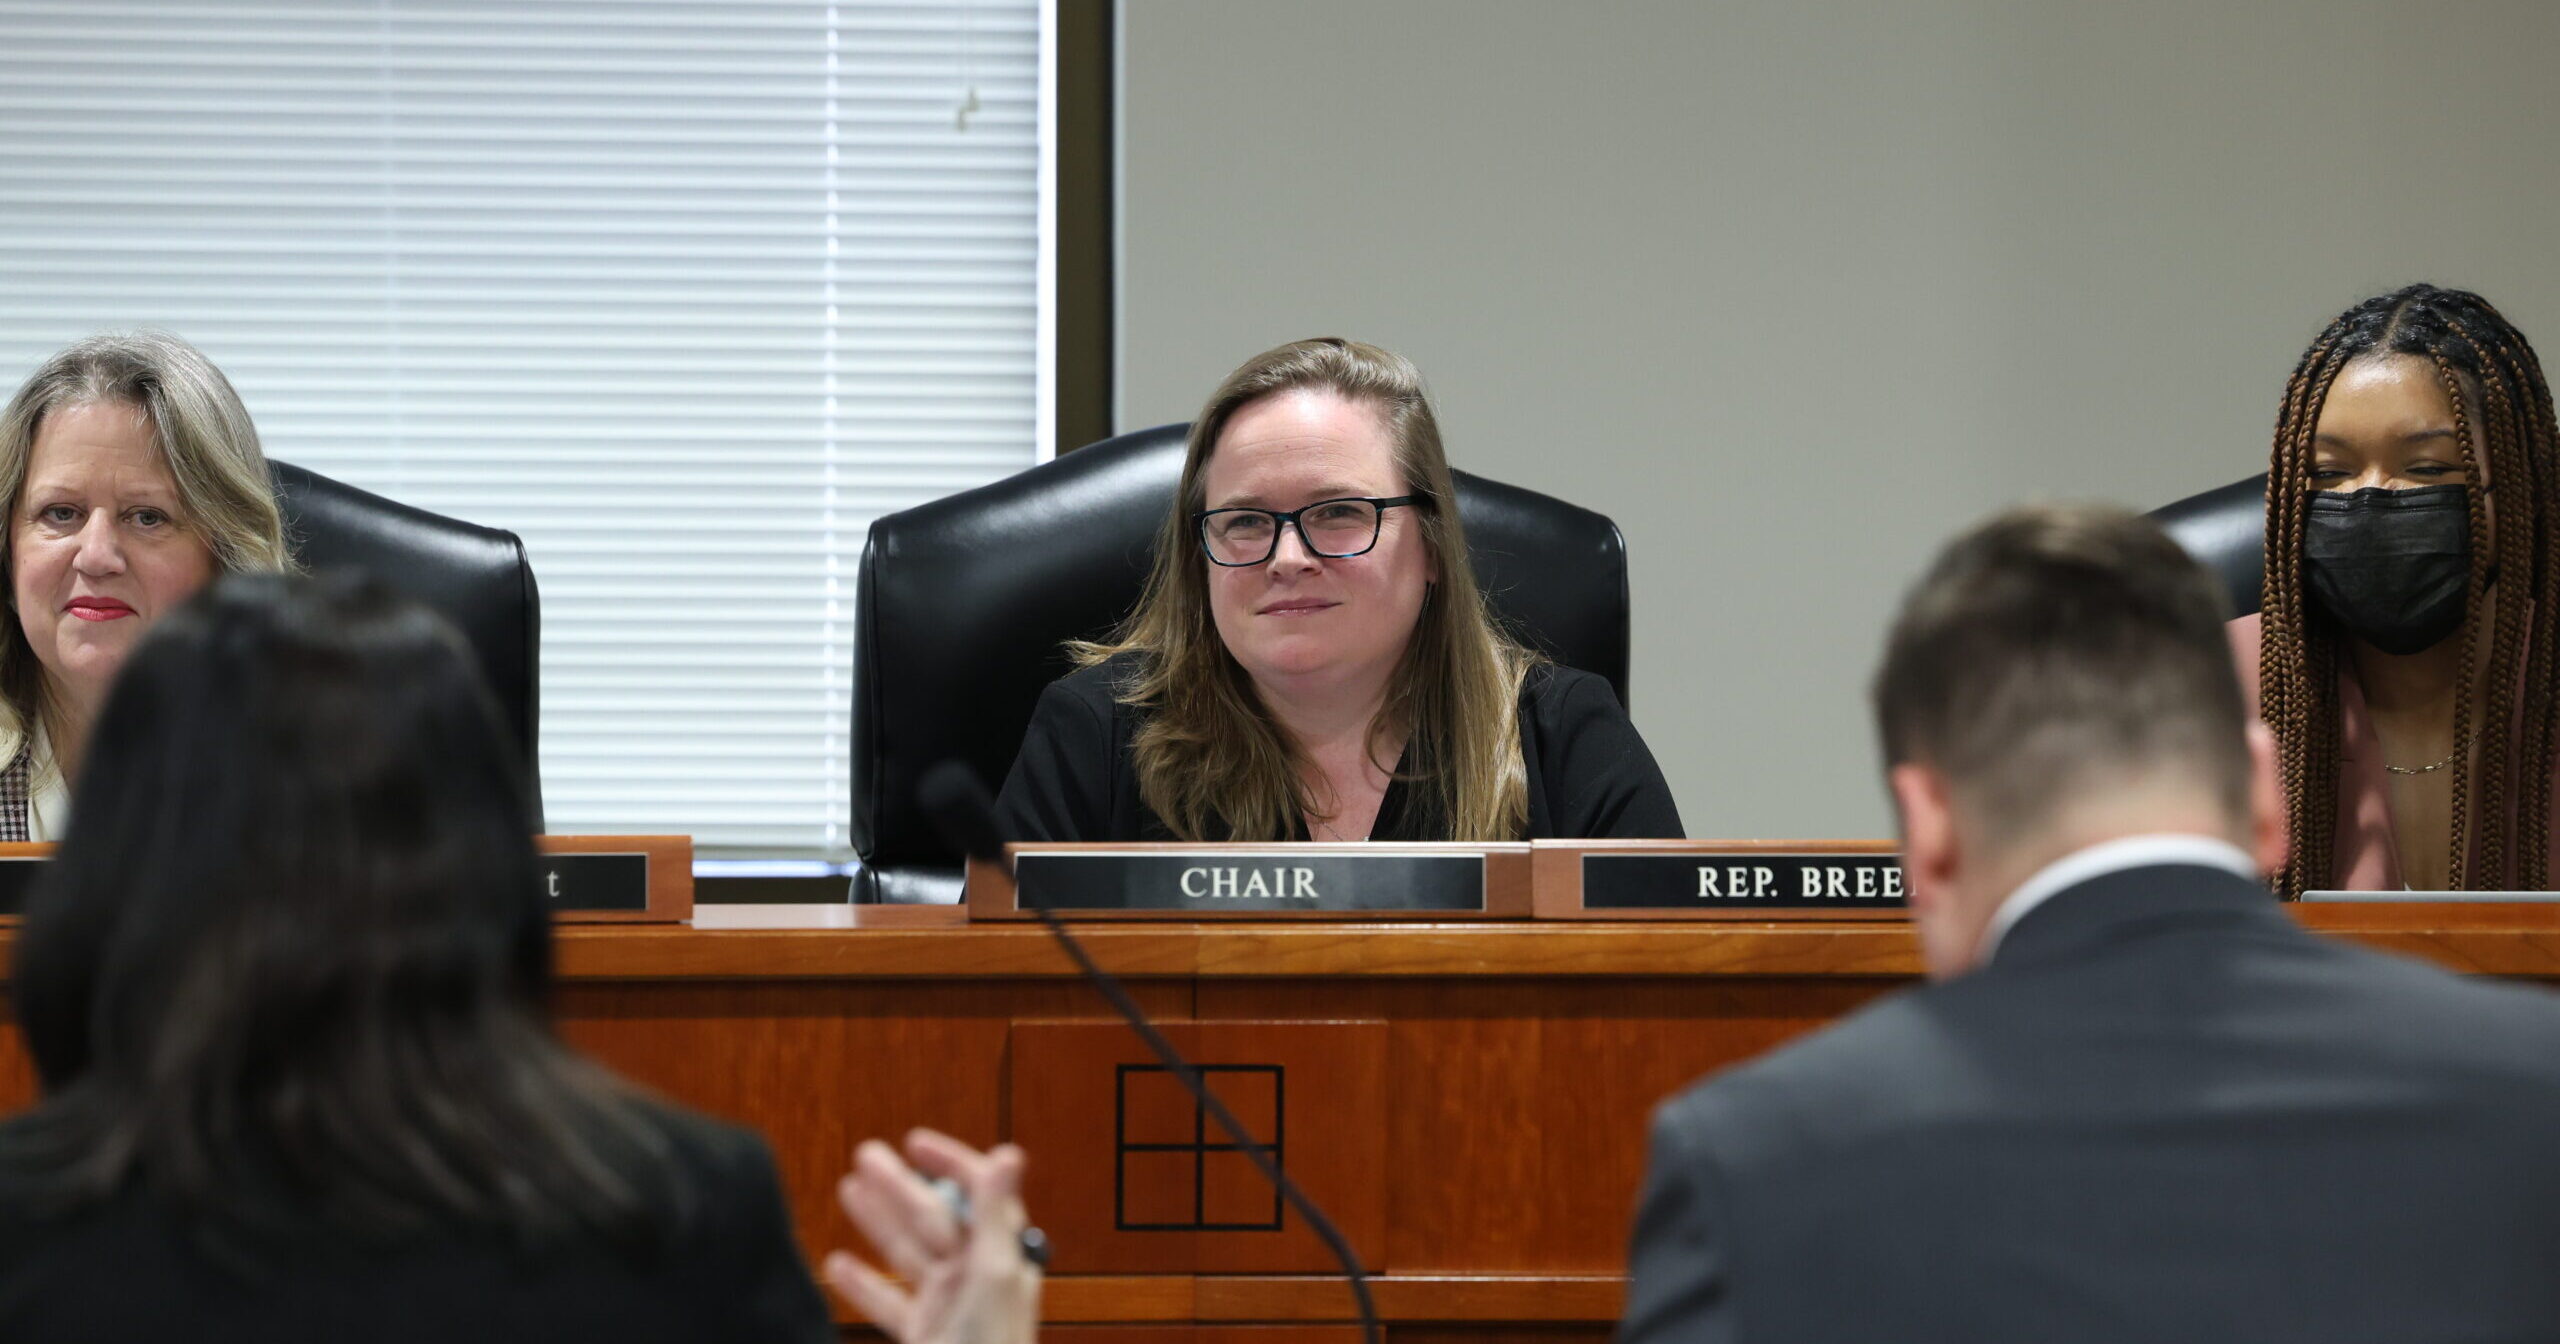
(1519, 1064)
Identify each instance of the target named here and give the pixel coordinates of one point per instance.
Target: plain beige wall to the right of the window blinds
(1793, 291)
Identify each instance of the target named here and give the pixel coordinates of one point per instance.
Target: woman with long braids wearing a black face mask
(2405, 644)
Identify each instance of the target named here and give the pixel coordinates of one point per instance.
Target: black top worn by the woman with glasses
(1588, 769)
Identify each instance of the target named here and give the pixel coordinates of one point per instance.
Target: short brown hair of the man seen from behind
(2057, 652)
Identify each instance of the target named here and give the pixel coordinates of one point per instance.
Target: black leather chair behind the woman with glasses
(966, 600)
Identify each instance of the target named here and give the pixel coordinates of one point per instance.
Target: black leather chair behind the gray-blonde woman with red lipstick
(475, 577)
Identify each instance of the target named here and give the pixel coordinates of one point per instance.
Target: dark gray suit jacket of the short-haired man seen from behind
(2162, 1112)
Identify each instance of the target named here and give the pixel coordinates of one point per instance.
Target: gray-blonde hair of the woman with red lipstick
(204, 436)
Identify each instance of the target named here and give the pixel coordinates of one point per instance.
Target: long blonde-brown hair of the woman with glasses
(1212, 762)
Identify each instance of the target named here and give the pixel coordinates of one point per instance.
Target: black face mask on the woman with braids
(2390, 564)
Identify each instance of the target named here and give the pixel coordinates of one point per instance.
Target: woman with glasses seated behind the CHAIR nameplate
(1312, 657)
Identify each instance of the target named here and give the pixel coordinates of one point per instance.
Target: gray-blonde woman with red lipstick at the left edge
(132, 477)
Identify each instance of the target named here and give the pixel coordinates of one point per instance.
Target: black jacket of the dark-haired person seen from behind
(132, 1271)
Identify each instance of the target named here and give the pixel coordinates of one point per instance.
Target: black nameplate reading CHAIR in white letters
(1251, 882)
